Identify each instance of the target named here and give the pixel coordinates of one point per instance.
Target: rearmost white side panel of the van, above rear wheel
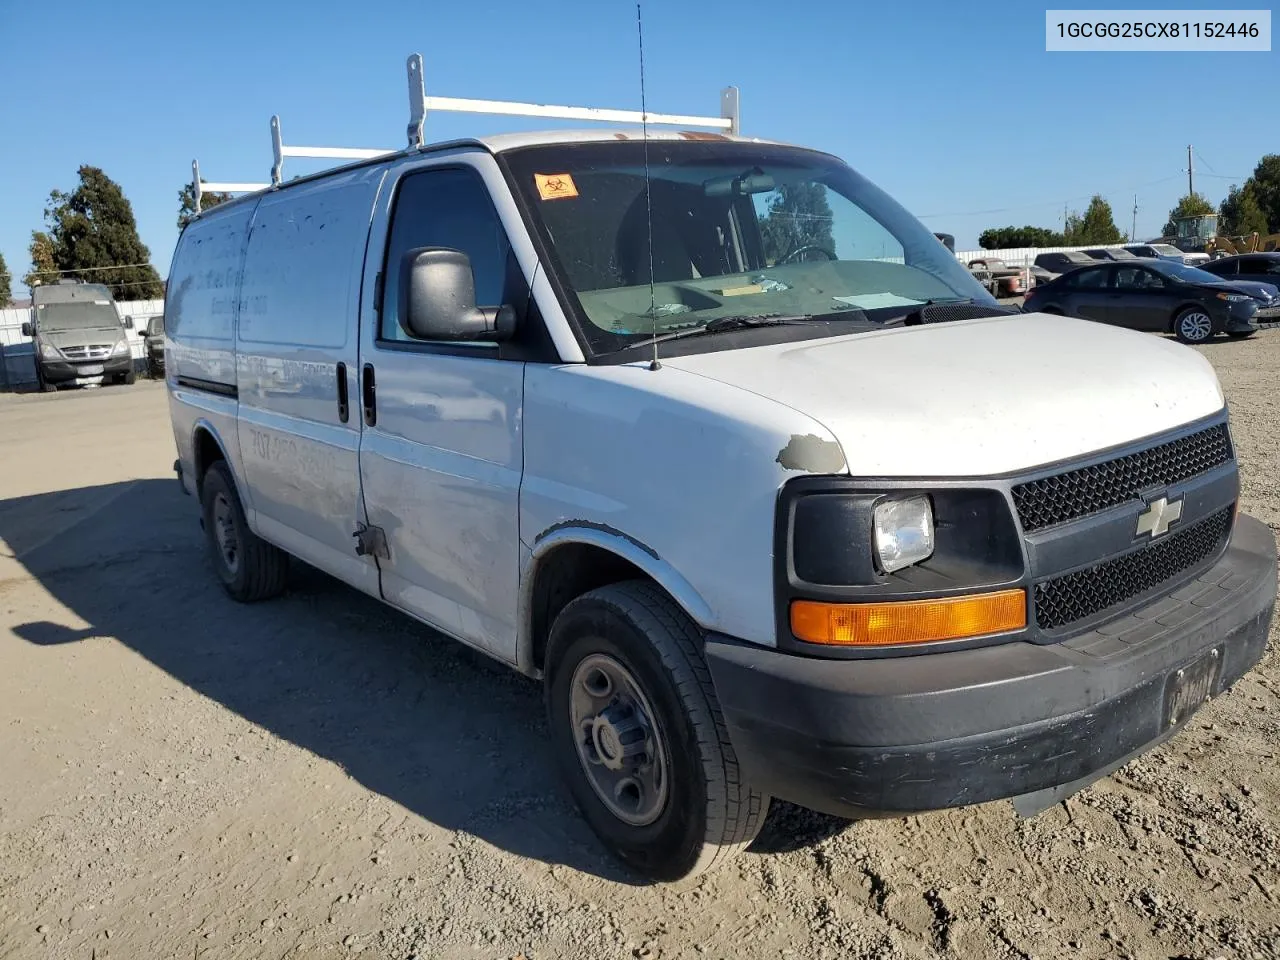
(200, 309)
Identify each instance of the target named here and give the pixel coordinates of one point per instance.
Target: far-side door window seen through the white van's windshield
(810, 222)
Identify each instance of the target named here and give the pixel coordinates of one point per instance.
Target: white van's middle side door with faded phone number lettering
(299, 322)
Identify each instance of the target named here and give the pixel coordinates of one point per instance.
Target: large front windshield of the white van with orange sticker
(739, 230)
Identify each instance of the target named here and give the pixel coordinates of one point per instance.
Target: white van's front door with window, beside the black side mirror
(441, 454)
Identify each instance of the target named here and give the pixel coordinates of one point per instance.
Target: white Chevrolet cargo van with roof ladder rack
(858, 538)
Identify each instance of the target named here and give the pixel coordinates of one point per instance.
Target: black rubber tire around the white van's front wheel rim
(710, 815)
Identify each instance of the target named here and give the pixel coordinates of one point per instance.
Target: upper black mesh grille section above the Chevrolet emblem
(1078, 493)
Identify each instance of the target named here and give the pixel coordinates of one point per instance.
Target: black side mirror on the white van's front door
(438, 300)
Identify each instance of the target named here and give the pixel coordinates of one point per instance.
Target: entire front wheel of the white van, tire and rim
(639, 735)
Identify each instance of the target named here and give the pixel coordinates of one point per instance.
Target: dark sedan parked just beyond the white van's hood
(1151, 295)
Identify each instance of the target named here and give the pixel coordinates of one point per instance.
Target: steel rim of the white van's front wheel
(618, 740)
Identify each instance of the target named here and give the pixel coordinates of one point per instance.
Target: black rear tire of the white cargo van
(259, 572)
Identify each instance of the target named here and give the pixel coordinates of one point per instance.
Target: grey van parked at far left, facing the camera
(79, 336)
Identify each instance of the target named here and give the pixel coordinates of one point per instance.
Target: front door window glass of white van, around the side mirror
(449, 208)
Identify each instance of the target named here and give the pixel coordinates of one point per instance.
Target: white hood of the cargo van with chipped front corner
(977, 397)
